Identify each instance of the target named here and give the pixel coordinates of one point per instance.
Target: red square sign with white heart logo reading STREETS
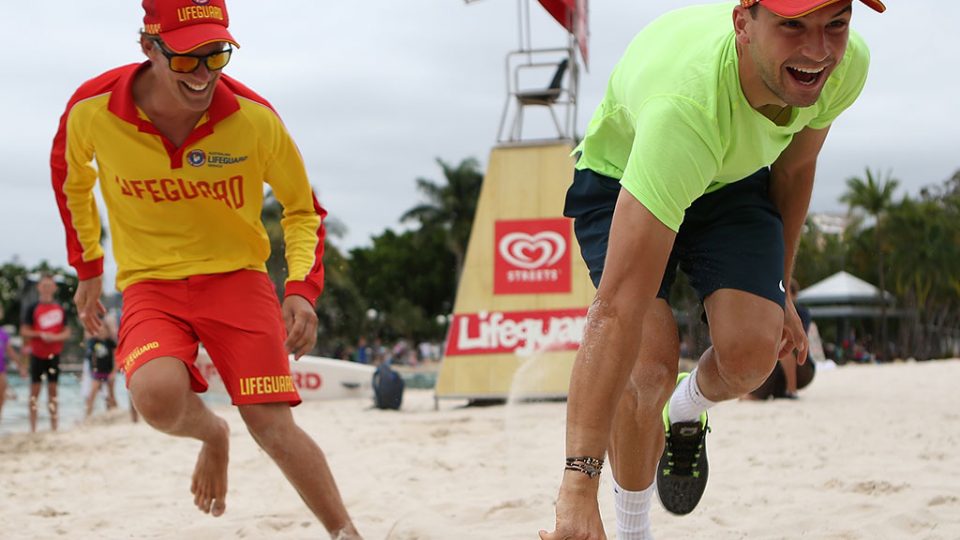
(532, 256)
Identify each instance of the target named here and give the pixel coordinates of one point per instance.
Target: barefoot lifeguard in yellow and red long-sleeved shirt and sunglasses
(182, 153)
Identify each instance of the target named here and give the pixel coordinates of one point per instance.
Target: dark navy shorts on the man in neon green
(731, 238)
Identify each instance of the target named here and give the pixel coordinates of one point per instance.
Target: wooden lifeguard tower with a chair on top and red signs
(522, 298)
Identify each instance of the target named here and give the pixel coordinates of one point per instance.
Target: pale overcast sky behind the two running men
(374, 91)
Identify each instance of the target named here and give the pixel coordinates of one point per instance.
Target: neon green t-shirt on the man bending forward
(674, 123)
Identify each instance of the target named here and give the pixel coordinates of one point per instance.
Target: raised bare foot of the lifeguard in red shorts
(209, 485)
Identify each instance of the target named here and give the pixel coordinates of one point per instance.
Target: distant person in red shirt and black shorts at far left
(45, 325)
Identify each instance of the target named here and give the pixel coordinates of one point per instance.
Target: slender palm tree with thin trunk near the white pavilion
(875, 197)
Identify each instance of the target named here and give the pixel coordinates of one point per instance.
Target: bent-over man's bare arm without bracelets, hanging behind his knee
(791, 185)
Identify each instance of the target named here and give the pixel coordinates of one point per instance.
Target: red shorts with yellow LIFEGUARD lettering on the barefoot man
(235, 315)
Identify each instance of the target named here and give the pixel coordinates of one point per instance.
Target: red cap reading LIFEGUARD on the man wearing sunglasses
(184, 25)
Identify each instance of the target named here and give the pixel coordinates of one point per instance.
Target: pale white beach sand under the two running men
(869, 452)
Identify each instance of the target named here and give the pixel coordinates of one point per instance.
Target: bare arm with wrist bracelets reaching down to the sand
(637, 254)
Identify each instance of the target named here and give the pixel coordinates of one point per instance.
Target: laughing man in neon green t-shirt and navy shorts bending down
(701, 155)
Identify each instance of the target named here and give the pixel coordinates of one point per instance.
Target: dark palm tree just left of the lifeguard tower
(451, 206)
